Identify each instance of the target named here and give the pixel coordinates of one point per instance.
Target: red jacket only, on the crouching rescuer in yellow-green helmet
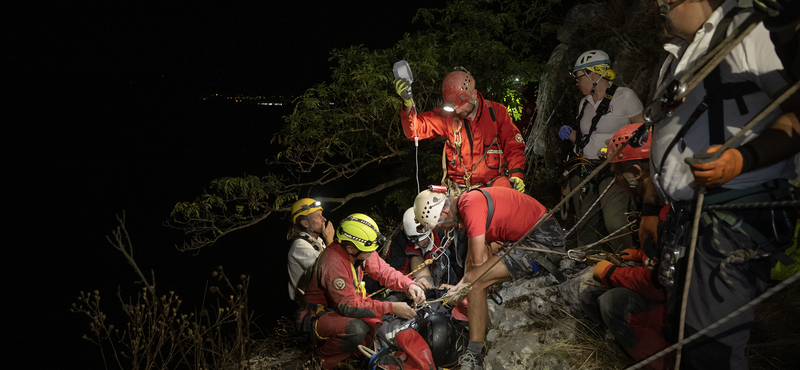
(334, 285)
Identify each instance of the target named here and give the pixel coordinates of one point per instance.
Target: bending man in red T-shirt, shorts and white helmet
(495, 214)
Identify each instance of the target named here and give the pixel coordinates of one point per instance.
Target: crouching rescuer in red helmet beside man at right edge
(631, 302)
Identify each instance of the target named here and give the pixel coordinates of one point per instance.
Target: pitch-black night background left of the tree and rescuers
(102, 116)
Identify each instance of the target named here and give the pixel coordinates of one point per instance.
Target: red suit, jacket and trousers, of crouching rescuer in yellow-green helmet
(353, 318)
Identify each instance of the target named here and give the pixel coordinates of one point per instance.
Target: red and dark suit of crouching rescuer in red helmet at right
(634, 309)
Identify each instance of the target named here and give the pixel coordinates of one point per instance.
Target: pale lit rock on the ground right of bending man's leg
(535, 312)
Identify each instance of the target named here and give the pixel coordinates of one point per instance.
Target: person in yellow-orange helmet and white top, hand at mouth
(310, 233)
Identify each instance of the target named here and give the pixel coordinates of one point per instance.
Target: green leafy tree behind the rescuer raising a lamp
(350, 126)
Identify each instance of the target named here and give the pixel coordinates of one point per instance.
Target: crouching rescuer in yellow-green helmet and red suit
(343, 316)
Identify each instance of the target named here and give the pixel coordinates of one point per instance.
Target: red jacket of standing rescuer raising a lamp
(475, 139)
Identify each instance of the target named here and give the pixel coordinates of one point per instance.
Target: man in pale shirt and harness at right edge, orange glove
(755, 169)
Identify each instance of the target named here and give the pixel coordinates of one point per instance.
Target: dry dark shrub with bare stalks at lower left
(157, 332)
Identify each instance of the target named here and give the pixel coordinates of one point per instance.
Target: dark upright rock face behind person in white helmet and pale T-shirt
(629, 32)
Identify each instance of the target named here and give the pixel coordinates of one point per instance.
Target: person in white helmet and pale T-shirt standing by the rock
(604, 109)
